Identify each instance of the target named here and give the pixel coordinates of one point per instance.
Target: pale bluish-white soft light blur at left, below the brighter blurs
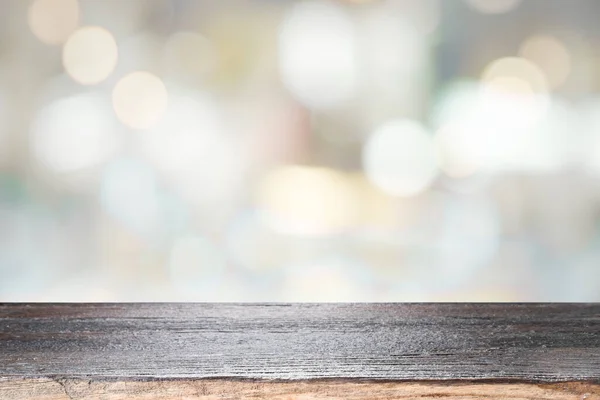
(129, 193)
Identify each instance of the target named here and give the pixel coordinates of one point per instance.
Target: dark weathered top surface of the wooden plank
(524, 342)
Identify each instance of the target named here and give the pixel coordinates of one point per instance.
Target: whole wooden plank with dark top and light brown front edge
(344, 350)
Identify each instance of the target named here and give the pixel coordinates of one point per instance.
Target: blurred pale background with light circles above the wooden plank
(392, 150)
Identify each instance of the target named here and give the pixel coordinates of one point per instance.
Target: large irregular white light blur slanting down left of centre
(191, 146)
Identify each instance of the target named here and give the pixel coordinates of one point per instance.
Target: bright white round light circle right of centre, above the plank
(399, 158)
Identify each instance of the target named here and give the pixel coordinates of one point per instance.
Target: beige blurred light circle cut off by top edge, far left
(52, 21)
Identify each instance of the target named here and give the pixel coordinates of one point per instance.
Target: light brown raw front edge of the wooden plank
(75, 389)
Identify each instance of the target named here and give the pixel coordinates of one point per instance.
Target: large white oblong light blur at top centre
(317, 57)
